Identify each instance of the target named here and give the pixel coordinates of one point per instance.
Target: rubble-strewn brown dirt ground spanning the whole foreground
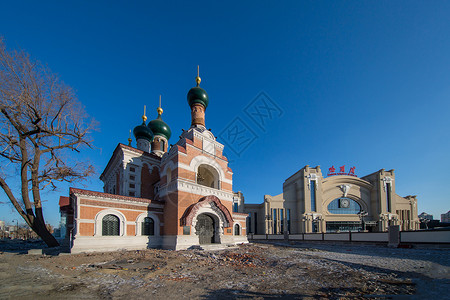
(255, 271)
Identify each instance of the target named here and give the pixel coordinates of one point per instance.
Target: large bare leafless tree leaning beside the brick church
(41, 124)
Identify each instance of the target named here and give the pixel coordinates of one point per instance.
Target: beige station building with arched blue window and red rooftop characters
(340, 202)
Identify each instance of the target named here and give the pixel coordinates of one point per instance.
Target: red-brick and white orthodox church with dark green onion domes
(155, 196)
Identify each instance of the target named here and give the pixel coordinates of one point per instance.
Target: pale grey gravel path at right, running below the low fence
(428, 268)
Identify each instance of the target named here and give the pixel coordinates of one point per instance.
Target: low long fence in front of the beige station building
(411, 237)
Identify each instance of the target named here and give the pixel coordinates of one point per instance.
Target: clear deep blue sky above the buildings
(354, 83)
